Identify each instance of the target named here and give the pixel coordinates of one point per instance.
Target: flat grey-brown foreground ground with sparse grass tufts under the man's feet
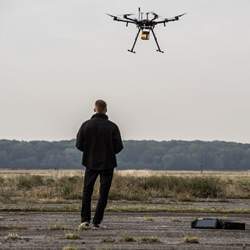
(47, 230)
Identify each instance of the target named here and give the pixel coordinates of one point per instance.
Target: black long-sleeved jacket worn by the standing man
(99, 139)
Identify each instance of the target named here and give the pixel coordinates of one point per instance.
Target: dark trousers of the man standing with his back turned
(90, 177)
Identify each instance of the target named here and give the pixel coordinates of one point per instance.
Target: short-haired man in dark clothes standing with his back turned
(99, 139)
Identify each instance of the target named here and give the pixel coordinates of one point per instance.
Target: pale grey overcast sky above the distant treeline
(58, 56)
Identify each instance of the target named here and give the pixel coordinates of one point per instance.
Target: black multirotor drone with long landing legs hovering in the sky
(145, 25)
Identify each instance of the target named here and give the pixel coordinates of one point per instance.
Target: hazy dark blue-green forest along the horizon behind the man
(164, 155)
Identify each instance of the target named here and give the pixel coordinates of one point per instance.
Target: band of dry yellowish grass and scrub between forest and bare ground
(58, 186)
